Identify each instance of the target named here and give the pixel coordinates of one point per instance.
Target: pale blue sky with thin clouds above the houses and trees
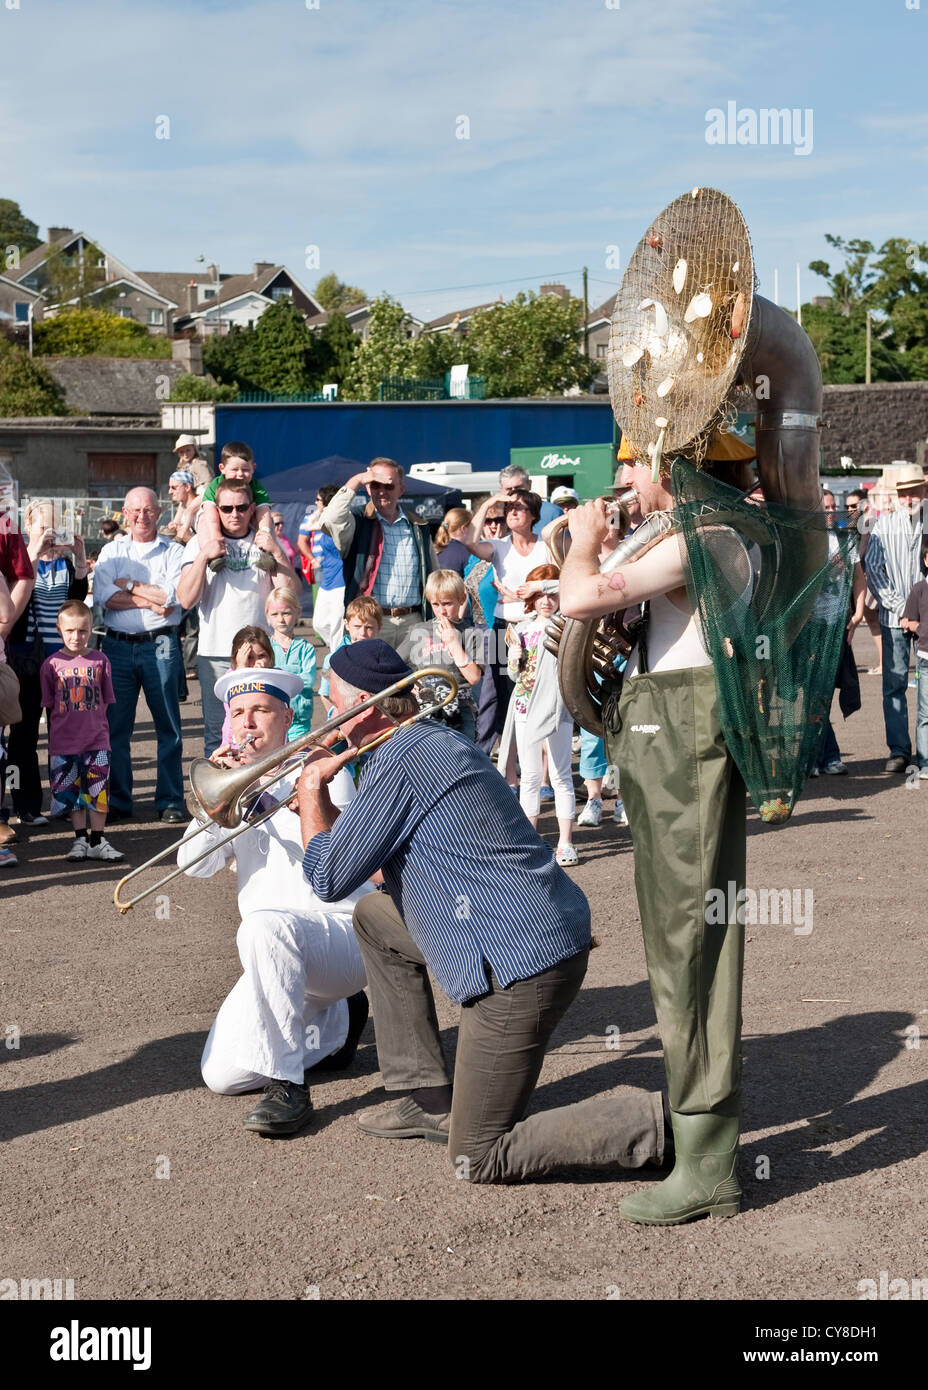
(335, 127)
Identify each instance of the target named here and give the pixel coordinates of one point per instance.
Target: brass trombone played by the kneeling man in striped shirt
(219, 796)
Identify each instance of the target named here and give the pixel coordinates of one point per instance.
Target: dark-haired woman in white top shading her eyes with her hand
(512, 558)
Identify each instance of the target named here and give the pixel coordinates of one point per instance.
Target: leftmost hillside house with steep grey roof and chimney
(123, 291)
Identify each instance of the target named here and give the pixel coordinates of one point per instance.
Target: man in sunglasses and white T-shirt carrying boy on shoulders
(230, 598)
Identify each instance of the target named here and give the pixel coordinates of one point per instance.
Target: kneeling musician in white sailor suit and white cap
(301, 1000)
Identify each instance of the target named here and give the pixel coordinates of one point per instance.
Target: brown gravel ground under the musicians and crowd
(126, 1175)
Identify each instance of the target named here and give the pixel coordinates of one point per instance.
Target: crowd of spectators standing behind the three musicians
(216, 586)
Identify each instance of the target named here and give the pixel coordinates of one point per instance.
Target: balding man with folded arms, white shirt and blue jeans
(137, 582)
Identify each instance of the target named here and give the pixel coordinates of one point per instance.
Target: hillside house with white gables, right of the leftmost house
(212, 302)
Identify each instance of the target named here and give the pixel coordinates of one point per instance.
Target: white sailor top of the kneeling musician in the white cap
(270, 857)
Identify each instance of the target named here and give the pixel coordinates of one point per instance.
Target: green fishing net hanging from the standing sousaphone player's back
(772, 590)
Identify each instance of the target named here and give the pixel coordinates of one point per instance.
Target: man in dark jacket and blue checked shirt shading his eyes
(387, 554)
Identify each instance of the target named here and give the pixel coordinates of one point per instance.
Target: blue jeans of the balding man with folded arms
(156, 669)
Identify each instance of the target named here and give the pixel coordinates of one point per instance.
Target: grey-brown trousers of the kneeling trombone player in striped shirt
(501, 1050)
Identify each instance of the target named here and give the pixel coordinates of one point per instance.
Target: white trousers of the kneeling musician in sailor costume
(288, 1011)
